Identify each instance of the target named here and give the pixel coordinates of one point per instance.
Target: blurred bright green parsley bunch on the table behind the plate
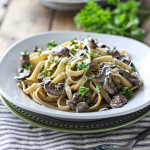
(120, 19)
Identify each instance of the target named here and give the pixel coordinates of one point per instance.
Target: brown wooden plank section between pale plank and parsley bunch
(63, 21)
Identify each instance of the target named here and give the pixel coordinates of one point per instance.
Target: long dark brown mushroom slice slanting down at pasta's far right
(131, 78)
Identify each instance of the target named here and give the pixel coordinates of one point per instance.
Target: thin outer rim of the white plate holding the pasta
(74, 116)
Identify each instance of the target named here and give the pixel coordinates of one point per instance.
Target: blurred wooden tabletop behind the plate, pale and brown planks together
(22, 18)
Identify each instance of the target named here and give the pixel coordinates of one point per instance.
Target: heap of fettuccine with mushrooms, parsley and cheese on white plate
(79, 76)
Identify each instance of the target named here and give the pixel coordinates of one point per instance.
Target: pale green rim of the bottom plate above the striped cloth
(33, 122)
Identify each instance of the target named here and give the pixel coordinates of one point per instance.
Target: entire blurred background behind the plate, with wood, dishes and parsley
(21, 18)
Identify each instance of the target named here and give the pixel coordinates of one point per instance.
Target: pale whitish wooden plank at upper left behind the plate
(24, 17)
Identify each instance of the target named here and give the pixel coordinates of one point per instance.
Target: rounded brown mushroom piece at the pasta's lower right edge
(118, 101)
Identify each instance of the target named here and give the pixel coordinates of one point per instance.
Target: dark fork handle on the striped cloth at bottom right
(139, 137)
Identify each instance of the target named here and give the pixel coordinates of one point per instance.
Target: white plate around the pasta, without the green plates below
(139, 52)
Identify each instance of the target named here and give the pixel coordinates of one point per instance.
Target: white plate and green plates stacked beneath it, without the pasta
(22, 106)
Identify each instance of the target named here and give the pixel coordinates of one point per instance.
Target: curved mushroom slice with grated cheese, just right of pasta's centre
(104, 73)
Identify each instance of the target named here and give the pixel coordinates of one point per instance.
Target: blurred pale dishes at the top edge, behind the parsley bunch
(70, 5)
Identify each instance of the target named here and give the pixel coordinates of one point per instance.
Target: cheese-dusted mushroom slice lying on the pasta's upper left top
(60, 51)
